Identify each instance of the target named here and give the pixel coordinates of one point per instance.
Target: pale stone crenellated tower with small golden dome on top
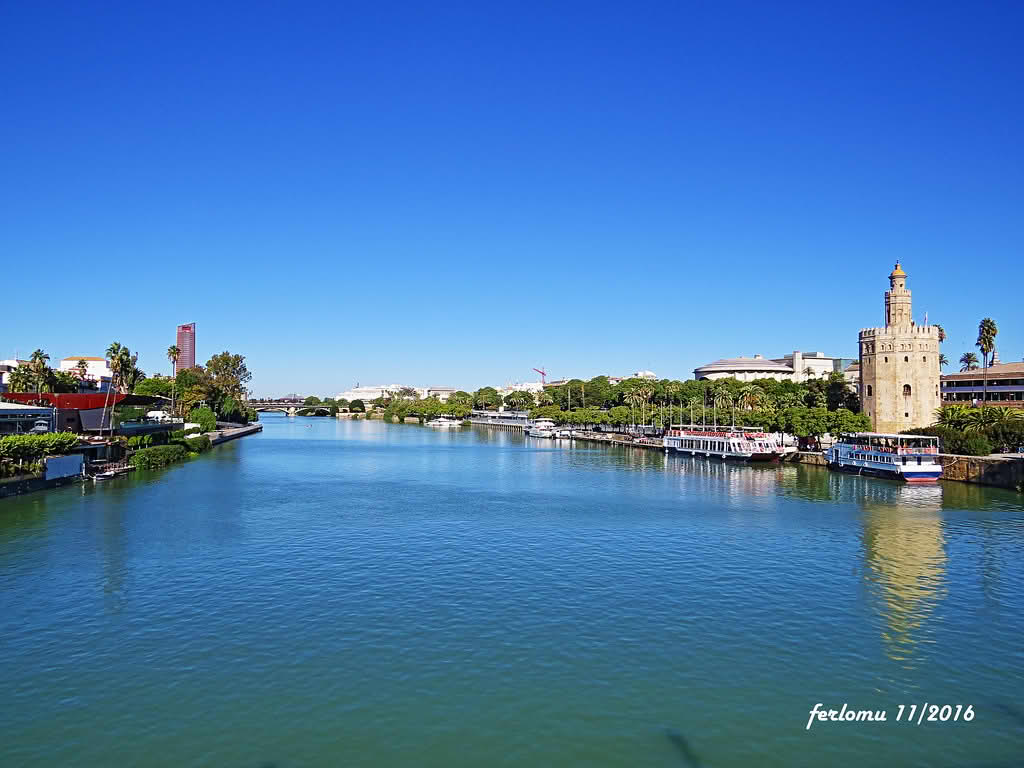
(900, 366)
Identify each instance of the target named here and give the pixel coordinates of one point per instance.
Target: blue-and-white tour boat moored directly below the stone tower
(901, 457)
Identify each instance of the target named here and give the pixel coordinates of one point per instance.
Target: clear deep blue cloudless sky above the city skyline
(451, 194)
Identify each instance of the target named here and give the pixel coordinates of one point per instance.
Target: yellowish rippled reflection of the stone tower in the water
(906, 559)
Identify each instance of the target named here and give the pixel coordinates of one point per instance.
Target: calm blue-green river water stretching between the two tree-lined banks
(333, 593)
